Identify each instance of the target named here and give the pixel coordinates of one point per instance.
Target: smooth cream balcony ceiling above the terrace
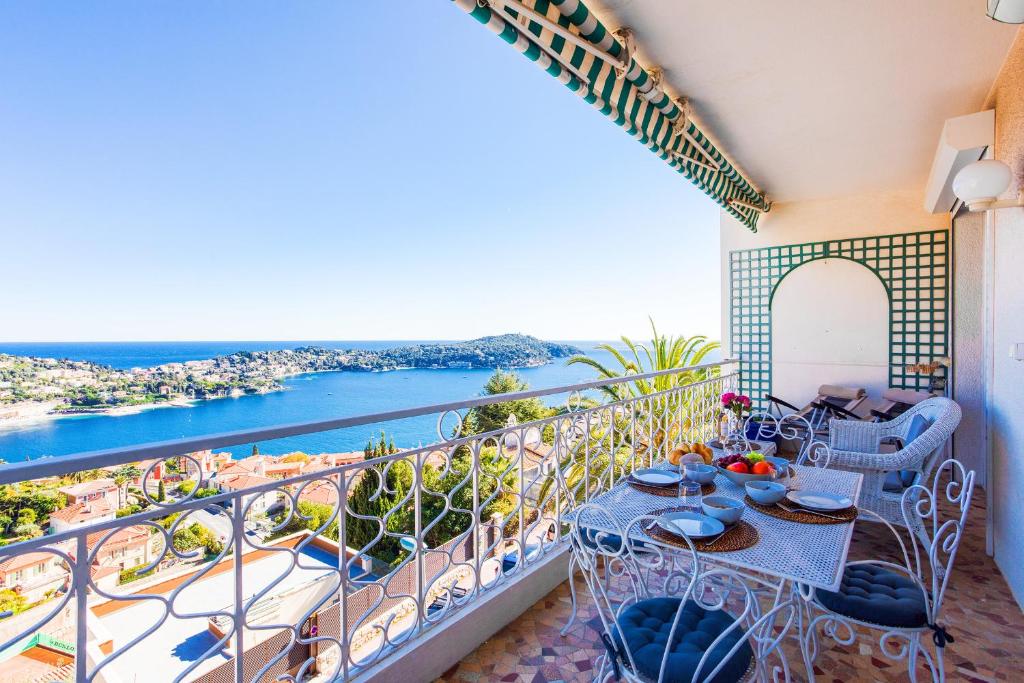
(825, 99)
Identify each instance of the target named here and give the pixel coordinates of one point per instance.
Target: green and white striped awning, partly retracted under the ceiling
(601, 69)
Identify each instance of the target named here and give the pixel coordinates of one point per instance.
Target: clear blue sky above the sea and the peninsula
(323, 170)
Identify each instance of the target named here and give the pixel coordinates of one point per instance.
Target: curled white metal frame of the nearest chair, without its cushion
(622, 567)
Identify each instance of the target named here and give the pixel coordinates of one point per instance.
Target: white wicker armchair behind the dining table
(858, 447)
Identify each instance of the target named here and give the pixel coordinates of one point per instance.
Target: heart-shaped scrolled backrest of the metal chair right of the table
(936, 540)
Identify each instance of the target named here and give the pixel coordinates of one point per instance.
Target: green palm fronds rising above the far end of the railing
(664, 353)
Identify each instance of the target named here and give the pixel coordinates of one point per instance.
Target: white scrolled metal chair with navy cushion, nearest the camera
(667, 619)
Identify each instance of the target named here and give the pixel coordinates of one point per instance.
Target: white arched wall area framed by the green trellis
(830, 326)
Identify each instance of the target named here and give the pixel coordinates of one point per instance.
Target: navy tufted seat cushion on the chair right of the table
(876, 595)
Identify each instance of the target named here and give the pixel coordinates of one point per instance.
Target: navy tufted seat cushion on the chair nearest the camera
(645, 627)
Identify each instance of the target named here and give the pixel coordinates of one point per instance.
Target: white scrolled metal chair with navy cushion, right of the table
(902, 602)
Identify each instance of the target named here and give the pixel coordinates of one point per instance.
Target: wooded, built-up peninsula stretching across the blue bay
(34, 389)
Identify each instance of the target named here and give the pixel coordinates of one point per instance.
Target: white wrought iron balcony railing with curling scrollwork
(324, 590)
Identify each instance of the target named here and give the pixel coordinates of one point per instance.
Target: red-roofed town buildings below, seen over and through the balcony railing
(135, 560)
